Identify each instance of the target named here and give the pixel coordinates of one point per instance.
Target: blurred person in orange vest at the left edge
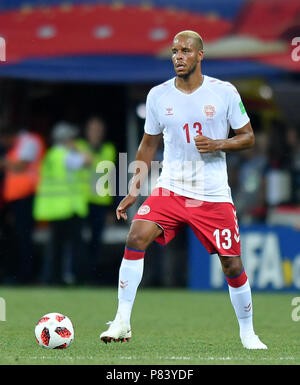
(24, 152)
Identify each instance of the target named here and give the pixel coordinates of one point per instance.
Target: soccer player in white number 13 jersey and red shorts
(194, 113)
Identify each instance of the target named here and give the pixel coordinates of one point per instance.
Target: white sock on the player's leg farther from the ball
(242, 304)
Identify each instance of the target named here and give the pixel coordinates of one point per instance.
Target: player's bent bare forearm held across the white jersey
(243, 139)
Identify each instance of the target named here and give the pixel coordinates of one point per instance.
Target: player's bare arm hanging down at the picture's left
(144, 157)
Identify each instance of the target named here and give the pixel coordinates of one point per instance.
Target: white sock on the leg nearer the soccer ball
(130, 276)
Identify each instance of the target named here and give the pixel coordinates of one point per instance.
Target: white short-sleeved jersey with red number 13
(210, 111)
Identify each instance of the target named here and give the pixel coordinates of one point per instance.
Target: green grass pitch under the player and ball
(170, 327)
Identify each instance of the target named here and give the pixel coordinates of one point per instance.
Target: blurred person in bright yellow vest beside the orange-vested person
(61, 201)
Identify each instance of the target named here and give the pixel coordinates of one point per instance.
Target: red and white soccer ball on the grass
(54, 331)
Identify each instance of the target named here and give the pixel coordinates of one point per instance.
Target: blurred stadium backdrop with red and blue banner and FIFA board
(66, 60)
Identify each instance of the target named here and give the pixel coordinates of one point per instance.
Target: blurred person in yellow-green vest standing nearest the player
(99, 201)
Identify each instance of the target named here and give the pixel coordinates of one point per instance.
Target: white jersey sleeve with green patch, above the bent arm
(237, 114)
